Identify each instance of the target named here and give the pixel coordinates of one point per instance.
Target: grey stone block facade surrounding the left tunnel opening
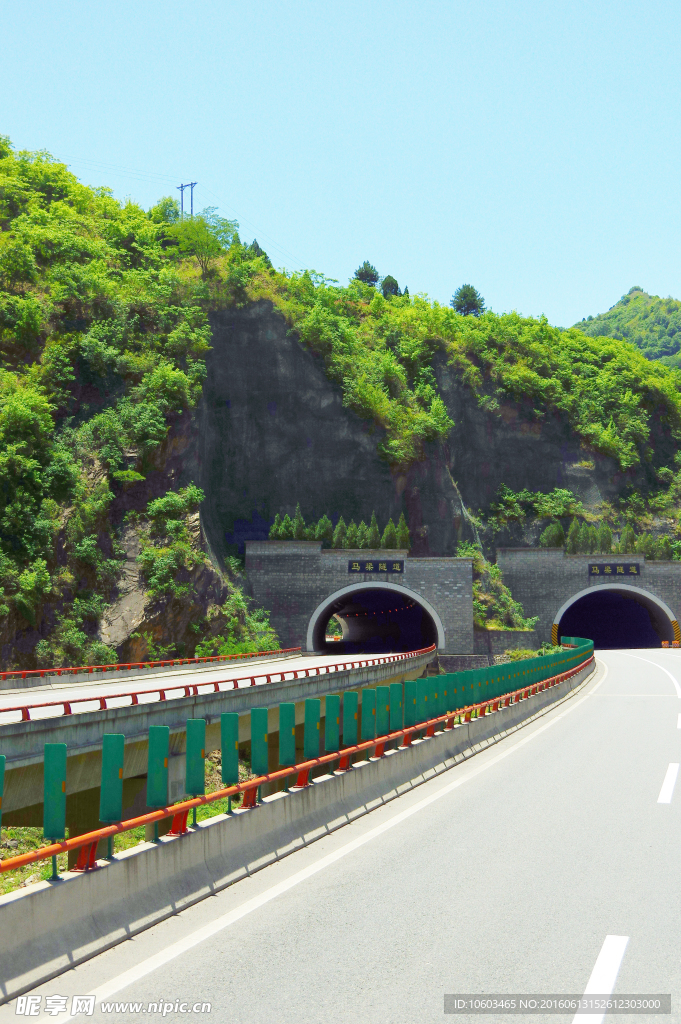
(292, 579)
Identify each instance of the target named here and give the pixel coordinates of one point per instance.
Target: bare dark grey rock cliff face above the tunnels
(274, 432)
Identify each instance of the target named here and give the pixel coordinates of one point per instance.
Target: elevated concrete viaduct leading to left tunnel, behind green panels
(81, 723)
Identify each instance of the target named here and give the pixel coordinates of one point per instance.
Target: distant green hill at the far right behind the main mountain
(654, 325)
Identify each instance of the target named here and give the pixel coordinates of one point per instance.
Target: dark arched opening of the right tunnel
(616, 619)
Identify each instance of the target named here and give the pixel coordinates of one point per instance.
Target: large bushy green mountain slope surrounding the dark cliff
(105, 330)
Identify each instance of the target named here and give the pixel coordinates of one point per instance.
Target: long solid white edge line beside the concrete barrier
(202, 934)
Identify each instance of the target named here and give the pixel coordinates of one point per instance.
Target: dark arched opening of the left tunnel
(374, 621)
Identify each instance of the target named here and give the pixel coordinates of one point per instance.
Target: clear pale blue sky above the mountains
(531, 149)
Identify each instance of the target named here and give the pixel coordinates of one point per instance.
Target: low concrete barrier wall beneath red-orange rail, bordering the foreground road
(48, 928)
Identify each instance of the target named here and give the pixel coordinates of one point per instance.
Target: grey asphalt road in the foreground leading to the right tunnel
(506, 875)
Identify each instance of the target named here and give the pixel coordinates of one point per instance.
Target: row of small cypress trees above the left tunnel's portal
(343, 536)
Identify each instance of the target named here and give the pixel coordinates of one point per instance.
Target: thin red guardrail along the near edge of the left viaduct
(192, 690)
